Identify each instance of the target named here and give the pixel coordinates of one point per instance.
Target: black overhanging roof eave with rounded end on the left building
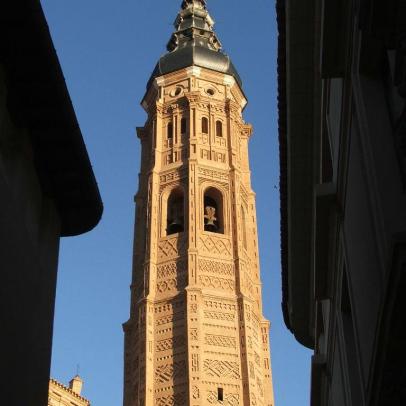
(38, 100)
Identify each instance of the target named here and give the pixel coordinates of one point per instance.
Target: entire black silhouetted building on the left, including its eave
(47, 191)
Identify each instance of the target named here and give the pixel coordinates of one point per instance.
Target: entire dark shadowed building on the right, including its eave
(342, 76)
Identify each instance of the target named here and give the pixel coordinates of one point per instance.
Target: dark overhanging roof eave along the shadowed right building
(296, 172)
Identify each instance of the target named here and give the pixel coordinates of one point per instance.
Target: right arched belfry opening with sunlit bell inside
(213, 210)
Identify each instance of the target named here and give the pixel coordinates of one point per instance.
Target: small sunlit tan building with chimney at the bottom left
(61, 395)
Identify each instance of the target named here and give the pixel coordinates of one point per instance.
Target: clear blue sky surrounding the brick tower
(108, 50)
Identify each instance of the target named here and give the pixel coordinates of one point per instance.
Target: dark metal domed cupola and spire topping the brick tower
(194, 43)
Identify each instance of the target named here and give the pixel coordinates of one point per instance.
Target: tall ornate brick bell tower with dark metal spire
(196, 335)
